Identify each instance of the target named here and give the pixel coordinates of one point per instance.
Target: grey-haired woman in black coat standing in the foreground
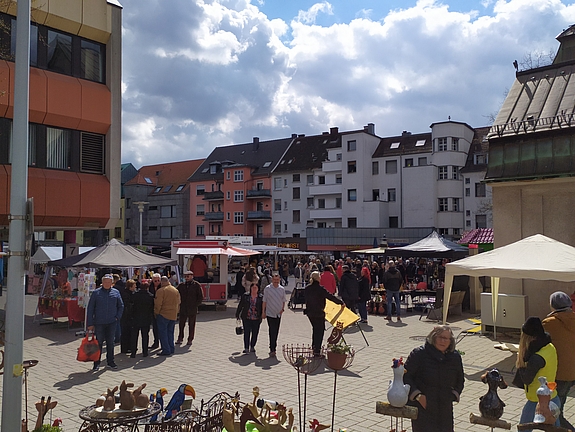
(435, 373)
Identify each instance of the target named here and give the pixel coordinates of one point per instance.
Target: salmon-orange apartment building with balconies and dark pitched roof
(231, 191)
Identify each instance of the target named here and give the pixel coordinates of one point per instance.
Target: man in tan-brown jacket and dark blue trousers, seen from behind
(166, 306)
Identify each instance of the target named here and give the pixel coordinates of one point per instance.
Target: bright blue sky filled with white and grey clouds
(204, 73)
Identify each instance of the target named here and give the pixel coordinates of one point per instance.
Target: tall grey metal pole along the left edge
(13, 368)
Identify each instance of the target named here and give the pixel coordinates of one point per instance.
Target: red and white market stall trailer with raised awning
(216, 255)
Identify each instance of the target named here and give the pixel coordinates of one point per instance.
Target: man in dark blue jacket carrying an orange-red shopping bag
(105, 309)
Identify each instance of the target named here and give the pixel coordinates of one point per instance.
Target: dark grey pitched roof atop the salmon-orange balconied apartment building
(260, 156)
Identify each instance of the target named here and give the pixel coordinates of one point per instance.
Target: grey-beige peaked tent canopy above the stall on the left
(114, 254)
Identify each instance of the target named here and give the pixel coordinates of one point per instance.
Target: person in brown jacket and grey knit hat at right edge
(560, 324)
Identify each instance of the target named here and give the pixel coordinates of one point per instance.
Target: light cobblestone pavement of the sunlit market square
(215, 363)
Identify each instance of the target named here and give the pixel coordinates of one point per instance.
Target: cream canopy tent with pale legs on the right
(536, 257)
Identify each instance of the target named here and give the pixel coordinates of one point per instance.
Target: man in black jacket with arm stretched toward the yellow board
(315, 297)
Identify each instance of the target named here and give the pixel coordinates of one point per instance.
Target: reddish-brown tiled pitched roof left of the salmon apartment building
(172, 174)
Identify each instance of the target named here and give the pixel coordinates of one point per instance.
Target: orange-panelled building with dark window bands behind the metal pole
(75, 112)
